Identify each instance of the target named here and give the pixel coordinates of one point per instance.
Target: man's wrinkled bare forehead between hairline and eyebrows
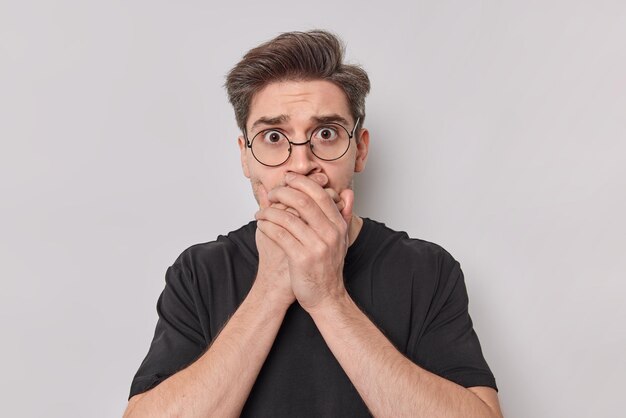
(299, 100)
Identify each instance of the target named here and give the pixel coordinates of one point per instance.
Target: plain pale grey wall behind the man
(498, 131)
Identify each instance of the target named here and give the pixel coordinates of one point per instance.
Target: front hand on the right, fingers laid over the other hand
(315, 240)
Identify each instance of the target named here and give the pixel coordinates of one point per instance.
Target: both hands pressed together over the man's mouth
(302, 238)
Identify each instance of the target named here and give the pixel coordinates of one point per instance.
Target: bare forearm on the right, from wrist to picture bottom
(389, 383)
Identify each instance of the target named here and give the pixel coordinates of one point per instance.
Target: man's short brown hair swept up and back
(296, 56)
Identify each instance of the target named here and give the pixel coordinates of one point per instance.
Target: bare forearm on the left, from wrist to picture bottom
(219, 382)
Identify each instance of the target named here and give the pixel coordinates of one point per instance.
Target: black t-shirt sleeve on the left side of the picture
(178, 338)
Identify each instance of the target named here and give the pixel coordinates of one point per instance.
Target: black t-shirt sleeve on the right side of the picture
(449, 346)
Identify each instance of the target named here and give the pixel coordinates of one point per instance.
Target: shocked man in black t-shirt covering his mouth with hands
(310, 310)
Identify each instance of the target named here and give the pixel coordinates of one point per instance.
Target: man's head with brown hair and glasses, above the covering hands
(295, 88)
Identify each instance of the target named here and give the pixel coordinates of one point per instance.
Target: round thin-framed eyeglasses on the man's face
(328, 142)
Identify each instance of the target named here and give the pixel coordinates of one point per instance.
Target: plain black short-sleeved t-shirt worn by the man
(411, 289)
